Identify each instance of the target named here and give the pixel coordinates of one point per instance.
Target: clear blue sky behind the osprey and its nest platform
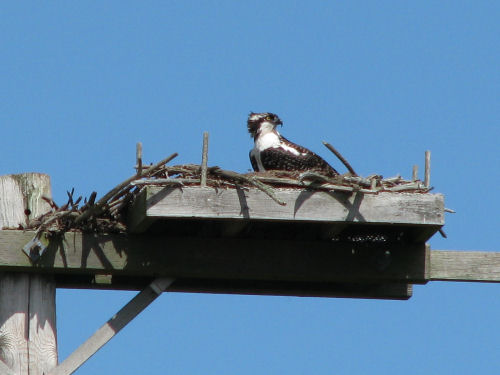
(383, 81)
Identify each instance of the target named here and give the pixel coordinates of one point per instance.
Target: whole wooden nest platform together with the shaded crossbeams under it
(241, 241)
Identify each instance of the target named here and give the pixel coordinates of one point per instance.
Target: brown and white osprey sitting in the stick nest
(273, 151)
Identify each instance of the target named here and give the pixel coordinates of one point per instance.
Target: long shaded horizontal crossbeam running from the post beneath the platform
(219, 258)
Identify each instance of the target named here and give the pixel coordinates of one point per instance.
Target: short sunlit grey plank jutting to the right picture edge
(465, 266)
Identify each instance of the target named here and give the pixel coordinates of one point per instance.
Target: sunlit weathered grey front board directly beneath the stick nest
(302, 205)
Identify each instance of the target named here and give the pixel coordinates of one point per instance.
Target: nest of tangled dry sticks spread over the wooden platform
(108, 215)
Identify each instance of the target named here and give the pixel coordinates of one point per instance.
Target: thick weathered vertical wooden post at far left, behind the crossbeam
(27, 302)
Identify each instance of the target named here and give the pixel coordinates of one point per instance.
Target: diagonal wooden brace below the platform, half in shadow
(112, 327)
